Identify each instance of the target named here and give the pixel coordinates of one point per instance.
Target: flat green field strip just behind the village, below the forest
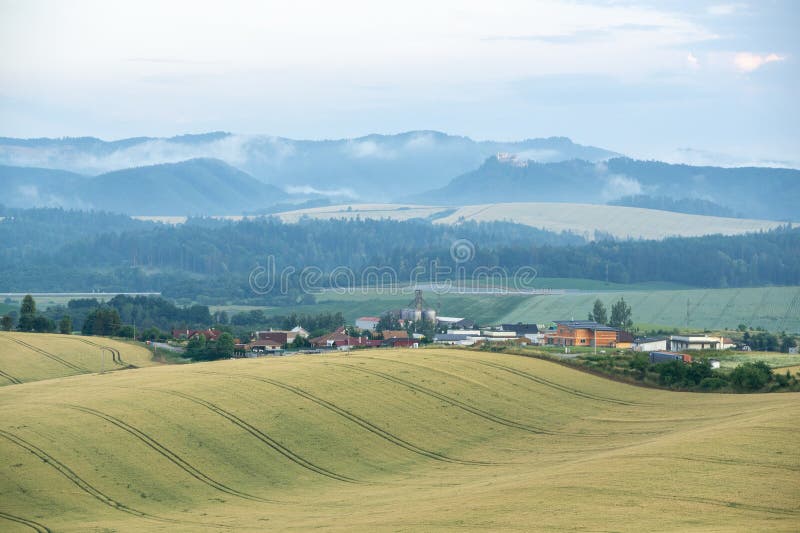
(772, 308)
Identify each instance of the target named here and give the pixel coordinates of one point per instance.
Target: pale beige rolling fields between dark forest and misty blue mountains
(586, 220)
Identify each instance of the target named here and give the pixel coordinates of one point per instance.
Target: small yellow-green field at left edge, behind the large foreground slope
(36, 356)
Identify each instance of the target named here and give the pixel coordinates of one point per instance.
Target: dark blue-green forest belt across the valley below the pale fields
(55, 250)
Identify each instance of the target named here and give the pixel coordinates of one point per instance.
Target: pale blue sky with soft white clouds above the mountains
(697, 82)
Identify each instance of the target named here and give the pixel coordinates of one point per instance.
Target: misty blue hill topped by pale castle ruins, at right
(755, 192)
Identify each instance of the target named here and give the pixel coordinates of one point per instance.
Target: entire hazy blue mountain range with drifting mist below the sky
(224, 173)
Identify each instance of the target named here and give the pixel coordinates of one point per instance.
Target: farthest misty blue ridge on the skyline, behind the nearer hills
(373, 167)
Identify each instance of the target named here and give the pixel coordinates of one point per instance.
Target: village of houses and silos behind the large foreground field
(395, 329)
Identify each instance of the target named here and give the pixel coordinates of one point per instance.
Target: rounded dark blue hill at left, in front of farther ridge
(194, 187)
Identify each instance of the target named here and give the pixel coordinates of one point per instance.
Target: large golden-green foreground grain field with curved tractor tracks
(574, 451)
